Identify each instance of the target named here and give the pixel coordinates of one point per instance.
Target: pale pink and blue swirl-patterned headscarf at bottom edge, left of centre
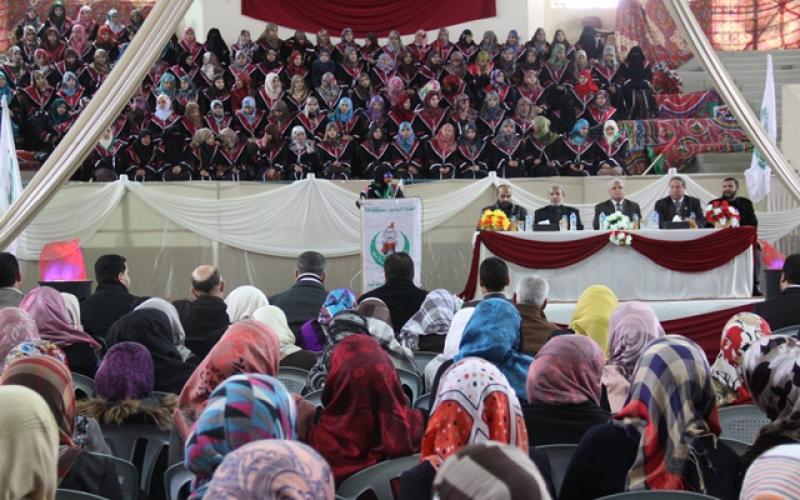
(272, 469)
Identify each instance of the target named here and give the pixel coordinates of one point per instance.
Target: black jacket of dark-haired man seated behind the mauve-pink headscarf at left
(109, 302)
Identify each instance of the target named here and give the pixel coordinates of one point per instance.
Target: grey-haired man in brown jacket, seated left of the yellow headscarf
(531, 299)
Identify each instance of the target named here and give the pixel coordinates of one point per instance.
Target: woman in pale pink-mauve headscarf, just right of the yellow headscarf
(633, 325)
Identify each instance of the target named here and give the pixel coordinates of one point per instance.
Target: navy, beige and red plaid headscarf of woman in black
(671, 405)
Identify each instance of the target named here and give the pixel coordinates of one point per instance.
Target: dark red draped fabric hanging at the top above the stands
(365, 16)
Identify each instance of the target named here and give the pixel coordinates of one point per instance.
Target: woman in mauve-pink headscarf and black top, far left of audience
(46, 307)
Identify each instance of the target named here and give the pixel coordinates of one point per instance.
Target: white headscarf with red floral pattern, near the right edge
(738, 334)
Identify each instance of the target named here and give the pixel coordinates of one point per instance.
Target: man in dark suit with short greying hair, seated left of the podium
(304, 299)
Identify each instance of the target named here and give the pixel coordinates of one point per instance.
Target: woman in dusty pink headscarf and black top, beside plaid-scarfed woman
(563, 389)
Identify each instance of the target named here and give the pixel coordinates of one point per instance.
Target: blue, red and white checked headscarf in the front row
(244, 408)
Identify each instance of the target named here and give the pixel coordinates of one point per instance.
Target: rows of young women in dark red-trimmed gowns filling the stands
(270, 109)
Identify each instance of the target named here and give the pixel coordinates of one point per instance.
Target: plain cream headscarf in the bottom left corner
(29, 439)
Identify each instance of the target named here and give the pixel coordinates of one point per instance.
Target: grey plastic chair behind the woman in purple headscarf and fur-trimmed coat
(126, 439)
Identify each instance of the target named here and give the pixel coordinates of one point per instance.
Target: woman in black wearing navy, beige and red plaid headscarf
(665, 438)
